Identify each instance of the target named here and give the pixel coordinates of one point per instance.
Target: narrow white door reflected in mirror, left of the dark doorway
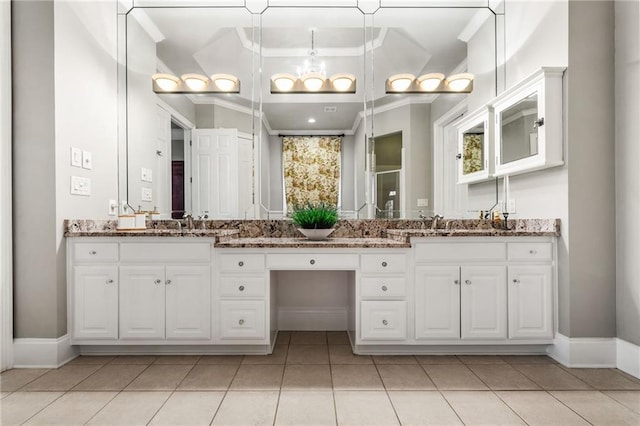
(162, 174)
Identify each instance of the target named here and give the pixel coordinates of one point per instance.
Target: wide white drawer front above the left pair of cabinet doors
(165, 252)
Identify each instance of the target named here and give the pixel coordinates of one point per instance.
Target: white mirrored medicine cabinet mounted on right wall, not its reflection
(528, 124)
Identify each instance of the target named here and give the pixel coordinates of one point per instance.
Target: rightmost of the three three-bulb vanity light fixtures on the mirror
(429, 83)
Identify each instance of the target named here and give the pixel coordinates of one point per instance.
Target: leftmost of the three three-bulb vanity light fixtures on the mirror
(195, 83)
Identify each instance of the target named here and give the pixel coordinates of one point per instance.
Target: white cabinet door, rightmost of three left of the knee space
(188, 302)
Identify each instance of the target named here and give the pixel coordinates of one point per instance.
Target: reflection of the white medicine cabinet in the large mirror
(475, 146)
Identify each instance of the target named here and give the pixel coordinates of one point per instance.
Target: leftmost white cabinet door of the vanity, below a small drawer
(95, 302)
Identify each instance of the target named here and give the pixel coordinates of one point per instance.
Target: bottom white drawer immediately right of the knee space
(384, 320)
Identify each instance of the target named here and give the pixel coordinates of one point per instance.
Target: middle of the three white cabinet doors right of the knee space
(483, 302)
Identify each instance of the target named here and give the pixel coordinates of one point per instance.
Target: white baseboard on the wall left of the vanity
(43, 353)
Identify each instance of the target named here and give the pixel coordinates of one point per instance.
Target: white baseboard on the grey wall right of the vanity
(584, 352)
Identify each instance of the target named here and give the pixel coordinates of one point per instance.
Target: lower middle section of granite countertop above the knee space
(305, 243)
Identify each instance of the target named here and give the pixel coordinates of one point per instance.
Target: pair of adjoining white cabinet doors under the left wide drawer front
(171, 302)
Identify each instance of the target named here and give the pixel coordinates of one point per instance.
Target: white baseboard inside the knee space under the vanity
(309, 319)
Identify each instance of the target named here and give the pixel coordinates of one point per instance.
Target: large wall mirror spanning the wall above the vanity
(176, 155)
